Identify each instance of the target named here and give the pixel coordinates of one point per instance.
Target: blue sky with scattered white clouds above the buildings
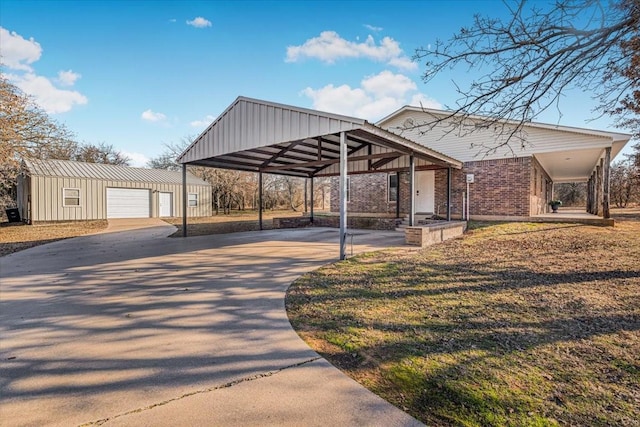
(141, 74)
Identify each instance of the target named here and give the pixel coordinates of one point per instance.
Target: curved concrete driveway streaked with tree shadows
(133, 328)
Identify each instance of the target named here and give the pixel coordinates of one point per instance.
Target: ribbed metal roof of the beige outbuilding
(71, 169)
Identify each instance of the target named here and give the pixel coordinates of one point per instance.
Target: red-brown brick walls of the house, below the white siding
(502, 187)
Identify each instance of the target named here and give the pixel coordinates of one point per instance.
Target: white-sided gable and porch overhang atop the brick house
(568, 154)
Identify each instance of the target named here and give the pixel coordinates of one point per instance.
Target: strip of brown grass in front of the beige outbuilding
(14, 238)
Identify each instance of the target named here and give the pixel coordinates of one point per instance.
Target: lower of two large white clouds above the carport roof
(377, 96)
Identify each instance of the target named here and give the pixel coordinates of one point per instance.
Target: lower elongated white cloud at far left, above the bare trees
(50, 98)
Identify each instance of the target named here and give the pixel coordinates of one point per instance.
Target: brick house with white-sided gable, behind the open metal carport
(508, 182)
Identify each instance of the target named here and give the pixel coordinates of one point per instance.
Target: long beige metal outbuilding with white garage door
(62, 190)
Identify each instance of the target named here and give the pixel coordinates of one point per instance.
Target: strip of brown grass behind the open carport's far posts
(233, 223)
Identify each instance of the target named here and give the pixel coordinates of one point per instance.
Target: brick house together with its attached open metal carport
(394, 160)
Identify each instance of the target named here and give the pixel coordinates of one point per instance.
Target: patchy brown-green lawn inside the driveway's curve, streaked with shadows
(514, 324)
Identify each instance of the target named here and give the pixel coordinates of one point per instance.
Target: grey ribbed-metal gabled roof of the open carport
(256, 135)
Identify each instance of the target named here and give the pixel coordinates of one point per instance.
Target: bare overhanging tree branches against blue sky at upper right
(527, 62)
